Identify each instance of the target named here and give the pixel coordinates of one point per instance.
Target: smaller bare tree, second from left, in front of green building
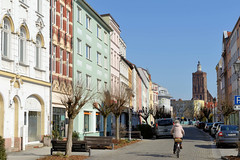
(105, 107)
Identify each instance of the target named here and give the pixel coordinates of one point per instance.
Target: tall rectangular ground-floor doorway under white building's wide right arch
(34, 126)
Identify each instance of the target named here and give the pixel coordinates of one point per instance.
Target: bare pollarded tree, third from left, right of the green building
(121, 101)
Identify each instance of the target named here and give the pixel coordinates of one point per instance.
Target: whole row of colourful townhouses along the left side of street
(45, 44)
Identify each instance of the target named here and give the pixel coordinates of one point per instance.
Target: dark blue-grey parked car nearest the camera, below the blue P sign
(227, 134)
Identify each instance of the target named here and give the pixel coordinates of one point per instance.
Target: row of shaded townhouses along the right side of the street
(227, 78)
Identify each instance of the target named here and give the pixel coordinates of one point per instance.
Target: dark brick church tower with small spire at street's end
(199, 82)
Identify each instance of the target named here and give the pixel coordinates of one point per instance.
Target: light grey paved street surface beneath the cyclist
(196, 145)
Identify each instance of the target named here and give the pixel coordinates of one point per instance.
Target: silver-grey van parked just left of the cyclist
(163, 127)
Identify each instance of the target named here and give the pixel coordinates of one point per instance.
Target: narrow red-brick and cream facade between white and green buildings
(61, 56)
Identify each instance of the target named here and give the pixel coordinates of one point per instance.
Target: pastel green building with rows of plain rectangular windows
(91, 62)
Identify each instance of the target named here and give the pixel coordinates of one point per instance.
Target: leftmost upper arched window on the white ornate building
(5, 38)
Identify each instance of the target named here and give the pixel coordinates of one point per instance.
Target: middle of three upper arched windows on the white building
(22, 45)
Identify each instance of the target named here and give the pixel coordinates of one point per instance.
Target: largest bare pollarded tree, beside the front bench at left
(74, 97)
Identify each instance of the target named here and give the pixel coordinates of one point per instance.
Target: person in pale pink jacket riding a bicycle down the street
(177, 132)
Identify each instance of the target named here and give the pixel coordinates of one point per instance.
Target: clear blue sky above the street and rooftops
(169, 37)
